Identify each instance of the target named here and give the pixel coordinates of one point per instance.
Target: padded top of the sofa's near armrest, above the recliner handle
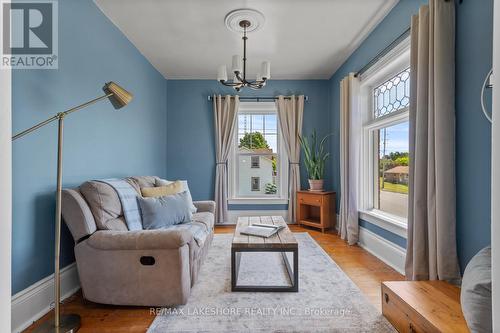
(139, 240)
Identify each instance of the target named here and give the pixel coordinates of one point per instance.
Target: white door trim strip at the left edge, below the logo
(5, 198)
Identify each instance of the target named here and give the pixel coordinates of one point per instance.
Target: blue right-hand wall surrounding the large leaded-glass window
(473, 146)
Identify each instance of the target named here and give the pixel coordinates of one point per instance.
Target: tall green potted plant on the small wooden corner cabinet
(315, 160)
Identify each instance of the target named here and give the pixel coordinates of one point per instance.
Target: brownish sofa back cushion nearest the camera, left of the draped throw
(104, 204)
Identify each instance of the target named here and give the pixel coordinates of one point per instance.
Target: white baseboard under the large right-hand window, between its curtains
(393, 255)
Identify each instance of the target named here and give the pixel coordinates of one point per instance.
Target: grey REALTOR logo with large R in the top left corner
(29, 34)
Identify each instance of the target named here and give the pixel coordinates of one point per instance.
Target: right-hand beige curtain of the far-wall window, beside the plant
(290, 114)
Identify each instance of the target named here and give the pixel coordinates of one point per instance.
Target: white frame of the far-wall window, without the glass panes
(282, 167)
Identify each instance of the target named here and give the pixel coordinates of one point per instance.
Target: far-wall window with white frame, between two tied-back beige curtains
(258, 165)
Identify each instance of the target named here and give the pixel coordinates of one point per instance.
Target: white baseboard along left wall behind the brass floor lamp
(34, 302)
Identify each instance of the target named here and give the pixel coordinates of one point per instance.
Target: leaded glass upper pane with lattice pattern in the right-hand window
(392, 95)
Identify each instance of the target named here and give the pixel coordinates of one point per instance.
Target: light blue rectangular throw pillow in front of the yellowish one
(162, 212)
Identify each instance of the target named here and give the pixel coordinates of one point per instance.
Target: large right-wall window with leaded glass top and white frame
(385, 100)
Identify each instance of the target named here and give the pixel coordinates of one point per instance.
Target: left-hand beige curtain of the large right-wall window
(350, 140)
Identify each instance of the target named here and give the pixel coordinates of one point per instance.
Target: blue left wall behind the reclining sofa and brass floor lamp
(99, 141)
